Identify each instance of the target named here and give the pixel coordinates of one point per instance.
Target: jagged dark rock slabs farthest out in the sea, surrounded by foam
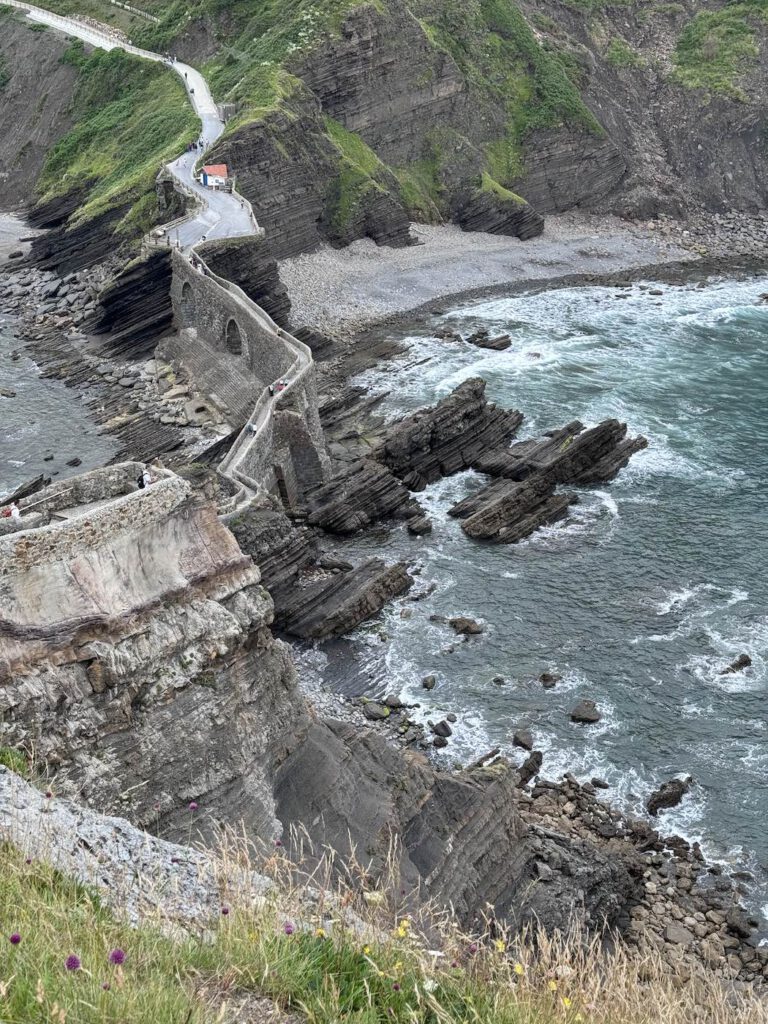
(513, 508)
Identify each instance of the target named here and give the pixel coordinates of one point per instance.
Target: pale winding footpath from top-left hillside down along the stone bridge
(219, 216)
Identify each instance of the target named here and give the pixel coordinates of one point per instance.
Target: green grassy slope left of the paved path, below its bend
(131, 117)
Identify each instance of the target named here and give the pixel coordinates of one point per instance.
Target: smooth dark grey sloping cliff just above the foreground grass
(463, 840)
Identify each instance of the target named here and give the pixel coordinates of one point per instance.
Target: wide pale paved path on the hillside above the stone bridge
(224, 216)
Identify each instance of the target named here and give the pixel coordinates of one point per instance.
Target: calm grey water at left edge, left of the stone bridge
(44, 418)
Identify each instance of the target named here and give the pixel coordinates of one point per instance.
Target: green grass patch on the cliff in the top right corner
(716, 49)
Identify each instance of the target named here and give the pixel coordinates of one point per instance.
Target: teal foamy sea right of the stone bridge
(650, 588)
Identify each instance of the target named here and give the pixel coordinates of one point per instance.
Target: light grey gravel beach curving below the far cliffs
(342, 291)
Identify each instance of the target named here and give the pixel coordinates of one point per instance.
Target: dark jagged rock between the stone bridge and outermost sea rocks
(449, 438)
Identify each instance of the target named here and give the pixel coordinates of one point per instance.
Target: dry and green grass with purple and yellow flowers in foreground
(323, 950)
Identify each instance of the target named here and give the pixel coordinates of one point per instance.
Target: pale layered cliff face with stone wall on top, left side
(139, 665)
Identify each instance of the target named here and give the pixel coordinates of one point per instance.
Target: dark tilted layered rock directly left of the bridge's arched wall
(135, 311)
